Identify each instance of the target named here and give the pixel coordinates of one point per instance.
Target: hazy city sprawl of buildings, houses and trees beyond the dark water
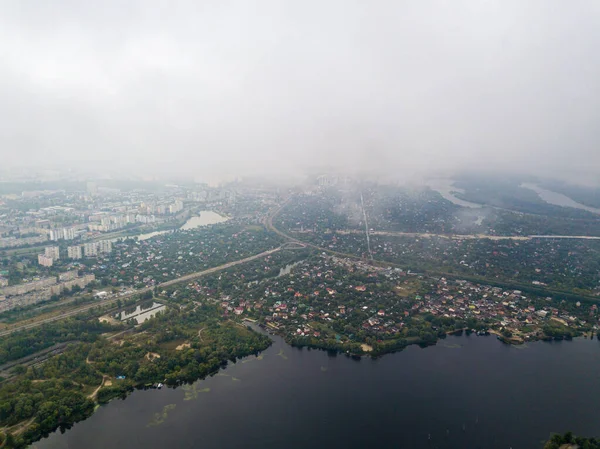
(346, 265)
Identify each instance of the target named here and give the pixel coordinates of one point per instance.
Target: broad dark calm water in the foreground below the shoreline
(466, 392)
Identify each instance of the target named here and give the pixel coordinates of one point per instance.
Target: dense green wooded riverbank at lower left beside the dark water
(59, 392)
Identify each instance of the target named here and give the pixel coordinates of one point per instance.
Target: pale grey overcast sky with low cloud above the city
(279, 86)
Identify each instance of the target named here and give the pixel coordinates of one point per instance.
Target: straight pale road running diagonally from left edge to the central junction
(111, 301)
